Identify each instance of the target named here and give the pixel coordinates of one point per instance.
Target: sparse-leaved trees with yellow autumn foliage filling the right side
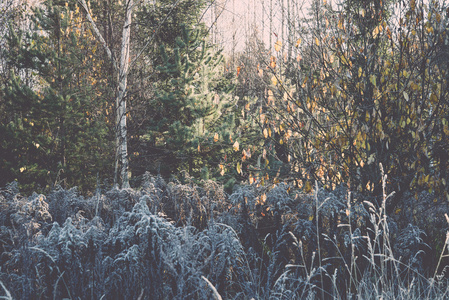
(364, 93)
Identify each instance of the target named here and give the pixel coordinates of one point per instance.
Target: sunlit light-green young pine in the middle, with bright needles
(194, 120)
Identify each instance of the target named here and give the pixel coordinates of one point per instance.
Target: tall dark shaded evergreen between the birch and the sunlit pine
(159, 23)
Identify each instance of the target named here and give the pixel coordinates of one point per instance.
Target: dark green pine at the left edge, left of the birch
(53, 127)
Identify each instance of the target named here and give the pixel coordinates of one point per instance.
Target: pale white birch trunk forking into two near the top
(122, 75)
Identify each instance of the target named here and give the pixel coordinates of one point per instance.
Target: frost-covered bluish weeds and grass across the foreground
(186, 241)
